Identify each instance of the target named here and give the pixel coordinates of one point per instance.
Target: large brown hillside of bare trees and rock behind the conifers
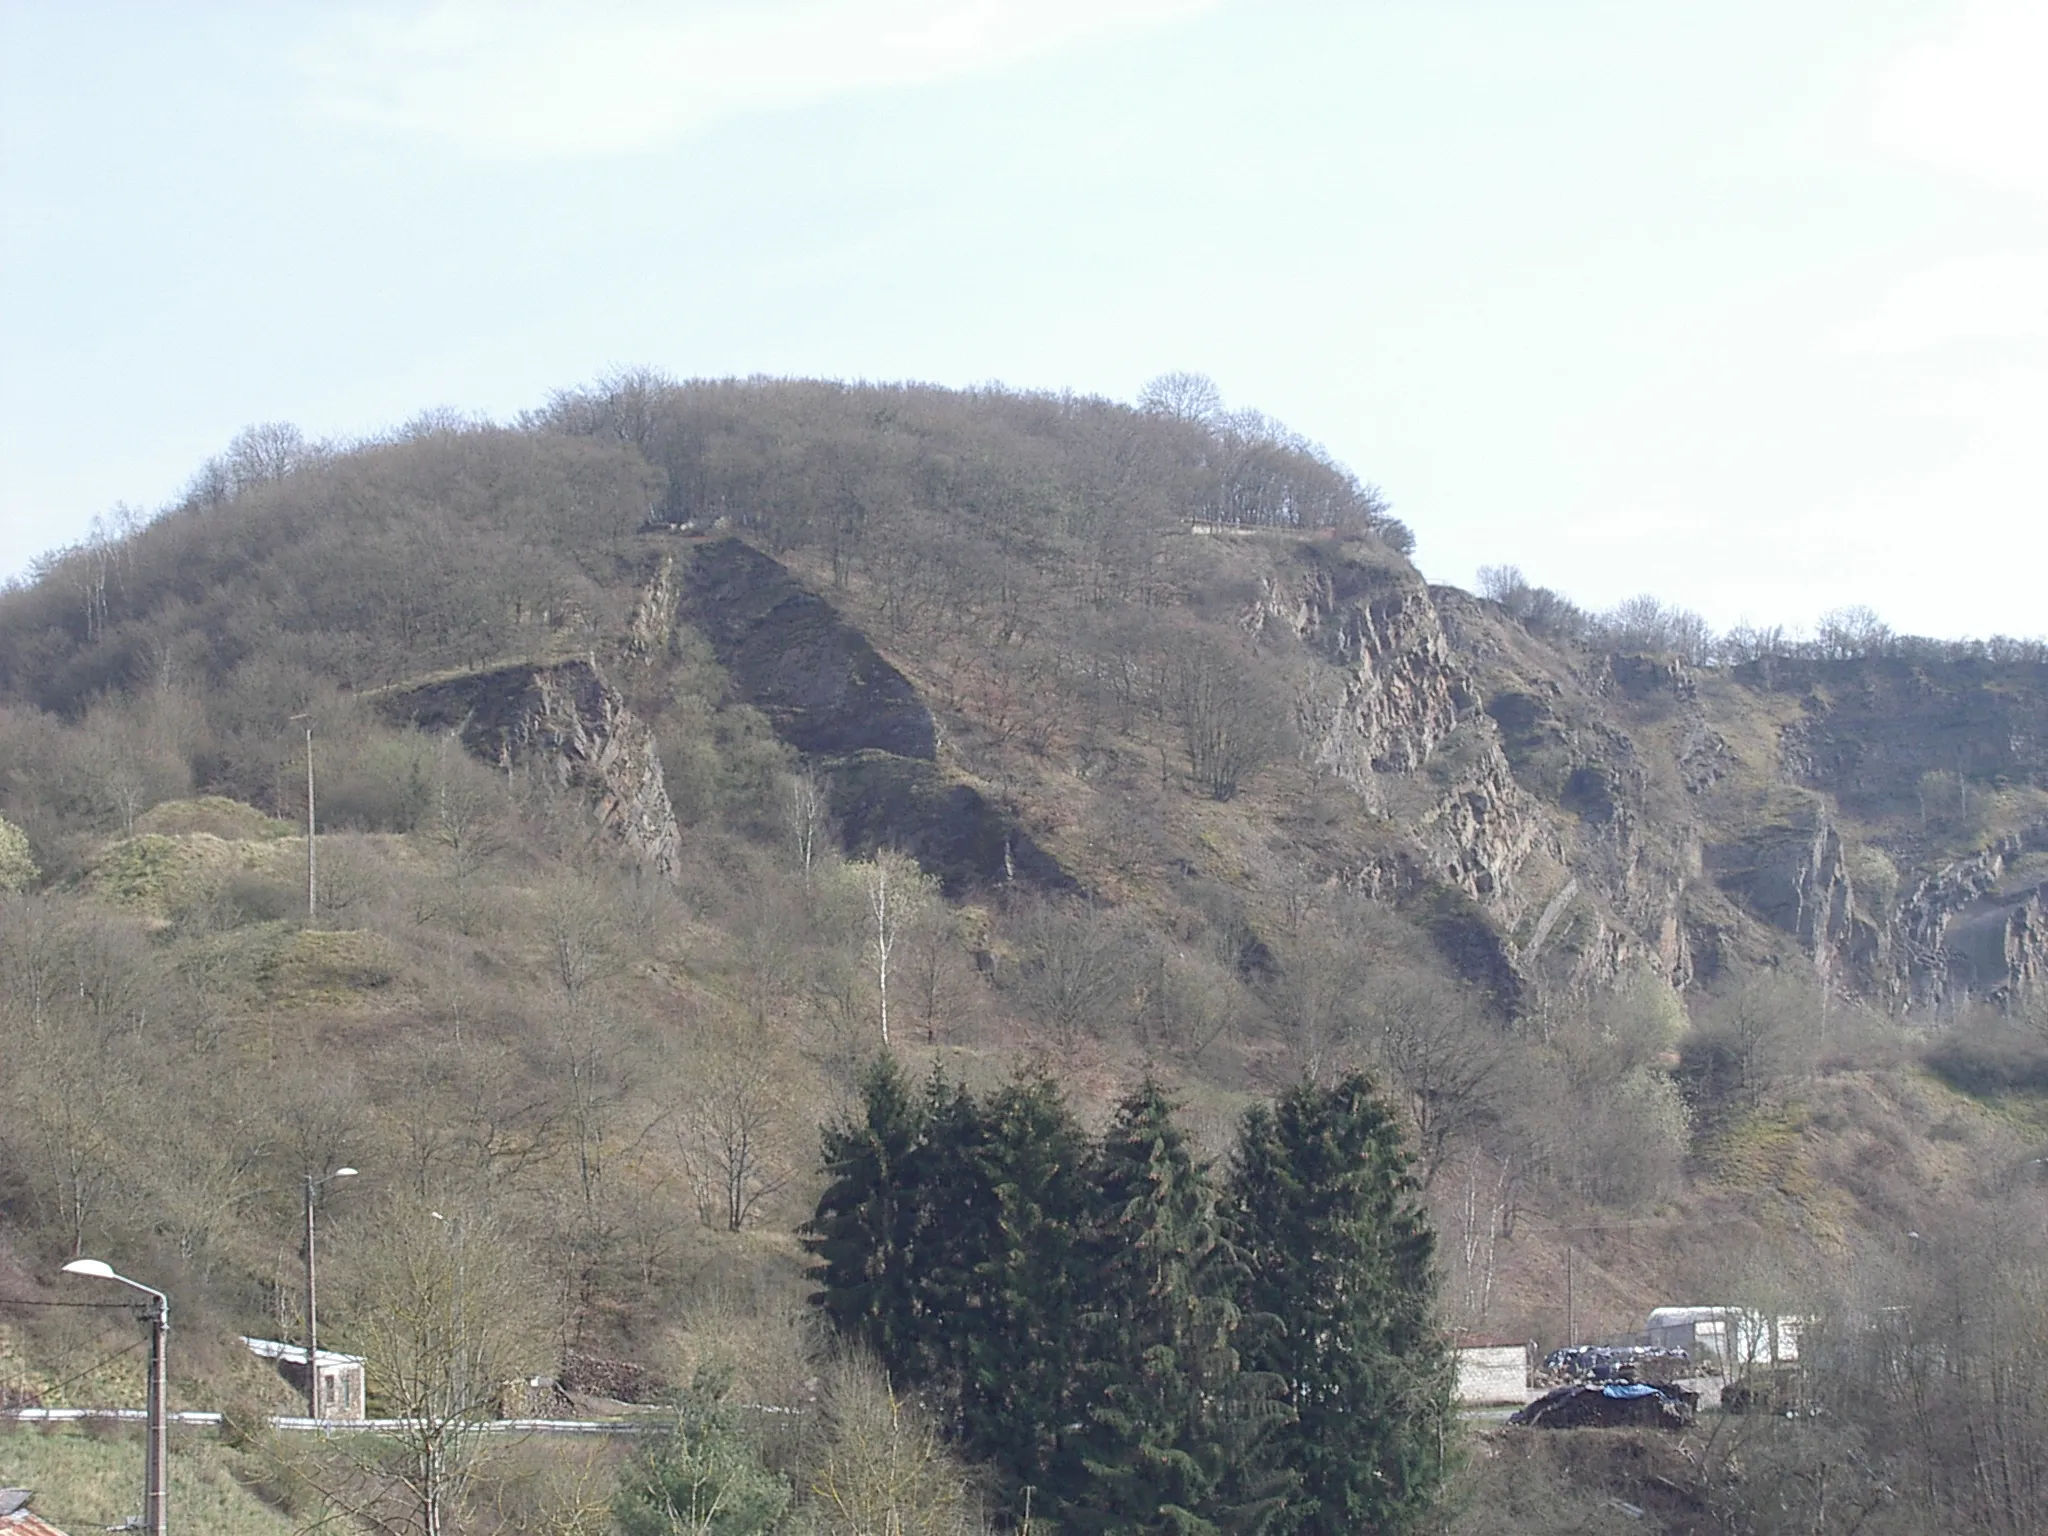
(1164, 755)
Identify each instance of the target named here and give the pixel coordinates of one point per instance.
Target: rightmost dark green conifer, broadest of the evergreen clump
(1338, 1293)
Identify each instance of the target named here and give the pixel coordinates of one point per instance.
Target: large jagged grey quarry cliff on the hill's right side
(1625, 812)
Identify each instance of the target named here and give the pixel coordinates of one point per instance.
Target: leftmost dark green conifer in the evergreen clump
(865, 1228)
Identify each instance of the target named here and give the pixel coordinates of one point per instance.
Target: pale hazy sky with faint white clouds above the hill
(1740, 304)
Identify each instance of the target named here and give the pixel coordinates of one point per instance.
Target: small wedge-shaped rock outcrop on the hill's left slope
(572, 730)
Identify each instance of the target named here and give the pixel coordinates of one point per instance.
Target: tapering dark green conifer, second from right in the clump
(1162, 1406)
